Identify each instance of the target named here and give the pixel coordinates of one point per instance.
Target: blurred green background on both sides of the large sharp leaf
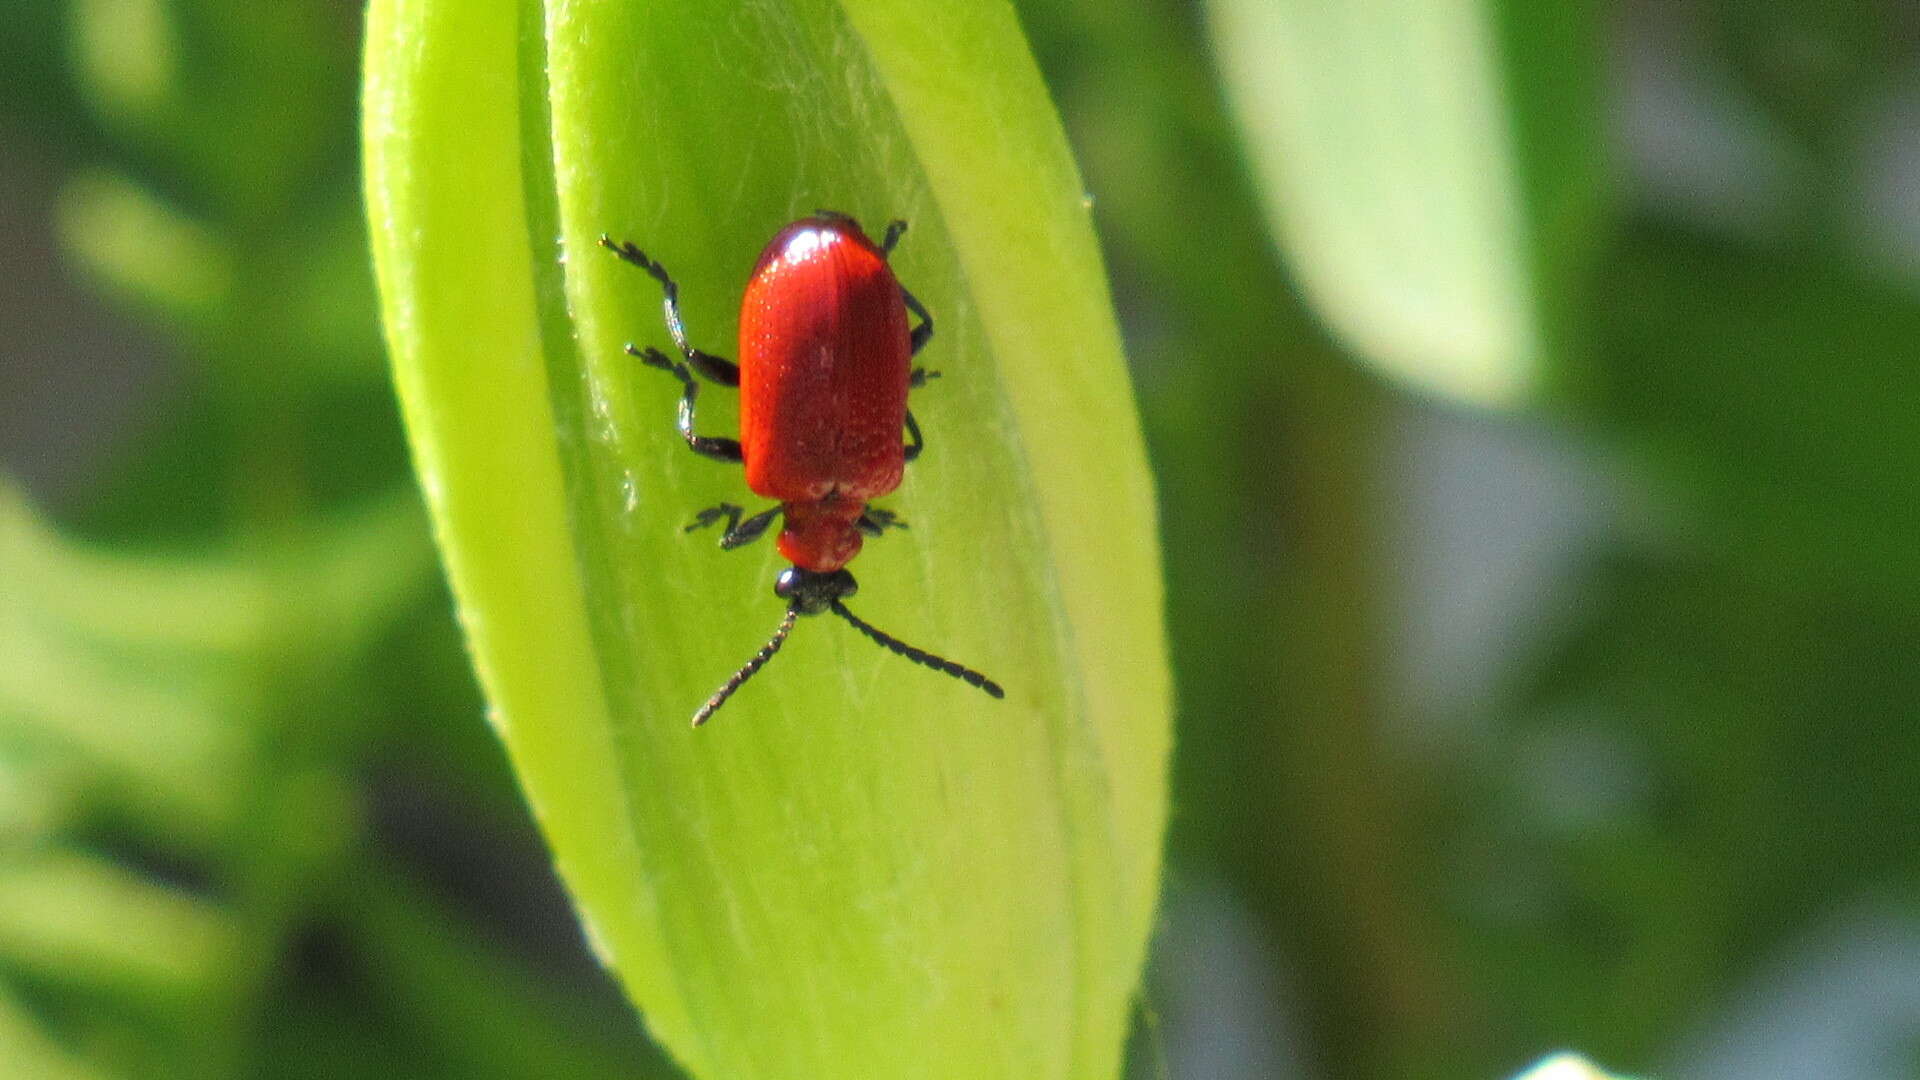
(1572, 716)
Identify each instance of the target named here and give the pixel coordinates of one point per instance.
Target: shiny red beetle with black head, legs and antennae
(825, 370)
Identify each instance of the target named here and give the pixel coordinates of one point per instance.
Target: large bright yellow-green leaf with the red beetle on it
(861, 866)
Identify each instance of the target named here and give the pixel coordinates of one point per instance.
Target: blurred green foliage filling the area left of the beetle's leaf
(233, 718)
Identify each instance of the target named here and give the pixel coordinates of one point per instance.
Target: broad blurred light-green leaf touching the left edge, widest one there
(145, 668)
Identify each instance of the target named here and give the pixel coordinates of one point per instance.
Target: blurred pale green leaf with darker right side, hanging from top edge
(1433, 174)
